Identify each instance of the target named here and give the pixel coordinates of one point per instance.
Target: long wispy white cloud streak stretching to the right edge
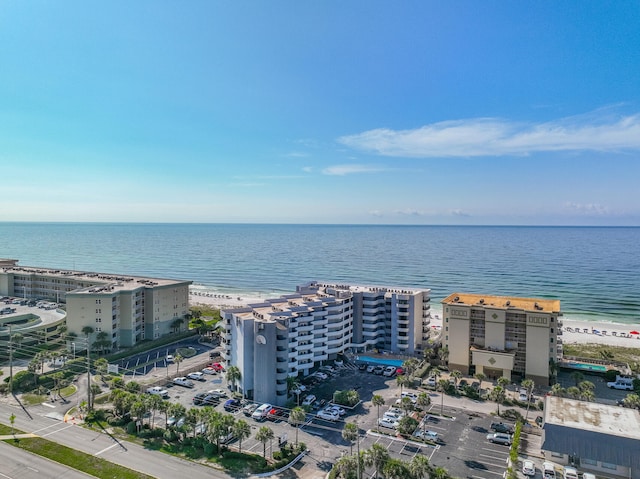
(497, 137)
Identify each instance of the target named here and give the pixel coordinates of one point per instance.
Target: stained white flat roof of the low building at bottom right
(591, 416)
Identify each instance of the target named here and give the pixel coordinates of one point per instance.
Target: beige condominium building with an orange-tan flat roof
(502, 336)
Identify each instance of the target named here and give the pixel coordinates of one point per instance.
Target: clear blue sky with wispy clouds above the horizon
(422, 112)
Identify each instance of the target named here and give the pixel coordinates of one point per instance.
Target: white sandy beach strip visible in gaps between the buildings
(584, 332)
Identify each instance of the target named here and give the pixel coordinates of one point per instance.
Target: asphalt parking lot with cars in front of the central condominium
(463, 448)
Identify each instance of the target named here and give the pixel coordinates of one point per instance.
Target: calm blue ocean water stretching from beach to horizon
(594, 272)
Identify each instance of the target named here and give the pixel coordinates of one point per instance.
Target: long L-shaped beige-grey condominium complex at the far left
(129, 309)
